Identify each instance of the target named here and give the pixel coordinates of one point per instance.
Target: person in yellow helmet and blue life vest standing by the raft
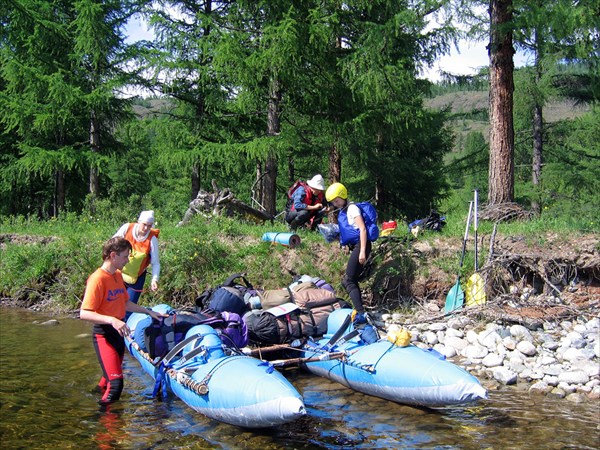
(357, 230)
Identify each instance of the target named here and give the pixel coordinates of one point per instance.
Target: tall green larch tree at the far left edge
(40, 105)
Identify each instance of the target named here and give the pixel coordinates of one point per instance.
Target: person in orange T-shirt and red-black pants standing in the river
(104, 304)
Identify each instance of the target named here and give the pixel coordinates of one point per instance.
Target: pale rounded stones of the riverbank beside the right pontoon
(560, 359)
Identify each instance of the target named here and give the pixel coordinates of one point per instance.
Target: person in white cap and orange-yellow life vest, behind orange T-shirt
(144, 242)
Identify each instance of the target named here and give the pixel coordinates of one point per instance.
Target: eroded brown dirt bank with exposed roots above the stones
(527, 279)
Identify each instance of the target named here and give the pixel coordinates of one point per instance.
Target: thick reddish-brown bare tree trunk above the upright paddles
(501, 170)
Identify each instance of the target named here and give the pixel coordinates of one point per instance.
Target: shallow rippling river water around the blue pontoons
(47, 373)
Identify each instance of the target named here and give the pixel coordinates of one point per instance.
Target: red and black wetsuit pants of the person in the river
(110, 348)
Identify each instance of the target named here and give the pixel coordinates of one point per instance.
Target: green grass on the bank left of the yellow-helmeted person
(193, 258)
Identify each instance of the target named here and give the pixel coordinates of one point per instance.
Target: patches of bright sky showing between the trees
(466, 60)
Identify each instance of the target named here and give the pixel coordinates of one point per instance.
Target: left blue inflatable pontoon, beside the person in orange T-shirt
(235, 389)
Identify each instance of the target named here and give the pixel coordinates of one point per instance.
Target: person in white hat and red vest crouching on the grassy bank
(306, 204)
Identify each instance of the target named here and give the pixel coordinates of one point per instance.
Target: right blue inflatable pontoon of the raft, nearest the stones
(408, 375)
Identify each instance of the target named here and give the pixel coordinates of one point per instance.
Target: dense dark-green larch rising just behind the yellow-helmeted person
(392, 133)
